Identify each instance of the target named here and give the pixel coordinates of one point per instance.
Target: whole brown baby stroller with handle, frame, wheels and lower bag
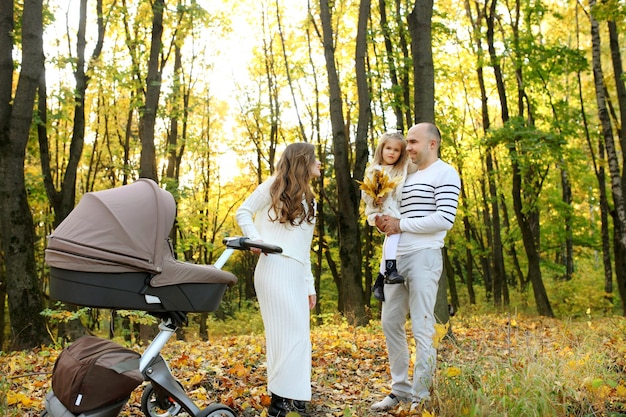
(112, 251)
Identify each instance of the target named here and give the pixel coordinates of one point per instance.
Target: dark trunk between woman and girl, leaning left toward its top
(351, 290)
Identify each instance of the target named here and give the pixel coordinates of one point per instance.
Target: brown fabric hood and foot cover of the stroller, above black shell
(126, 229)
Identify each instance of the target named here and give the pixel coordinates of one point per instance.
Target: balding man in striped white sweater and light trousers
(428, 208)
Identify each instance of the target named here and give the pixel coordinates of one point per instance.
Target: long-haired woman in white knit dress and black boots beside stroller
(281, 211)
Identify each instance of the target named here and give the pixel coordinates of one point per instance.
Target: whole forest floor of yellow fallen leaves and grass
(493, 365)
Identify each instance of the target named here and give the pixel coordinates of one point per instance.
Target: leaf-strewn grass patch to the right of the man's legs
(534, 367)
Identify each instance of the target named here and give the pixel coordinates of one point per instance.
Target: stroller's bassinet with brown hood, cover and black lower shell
(112, 251)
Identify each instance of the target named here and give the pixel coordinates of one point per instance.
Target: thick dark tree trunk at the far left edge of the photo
(16, 223)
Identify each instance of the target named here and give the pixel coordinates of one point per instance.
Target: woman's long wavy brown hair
(293, 200)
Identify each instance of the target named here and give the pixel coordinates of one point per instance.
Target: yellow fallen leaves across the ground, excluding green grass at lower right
(350, 368)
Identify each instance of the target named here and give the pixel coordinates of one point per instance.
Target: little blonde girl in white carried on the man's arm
(392, 158)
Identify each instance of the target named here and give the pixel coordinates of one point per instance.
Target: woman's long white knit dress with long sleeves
(283, 283)
